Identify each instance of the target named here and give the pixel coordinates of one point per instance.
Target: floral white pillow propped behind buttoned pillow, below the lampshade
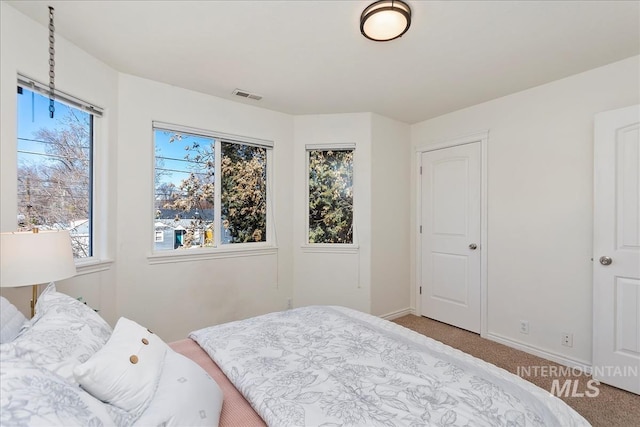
(63, 334)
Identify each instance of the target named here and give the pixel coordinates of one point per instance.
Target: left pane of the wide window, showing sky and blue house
(184, 190)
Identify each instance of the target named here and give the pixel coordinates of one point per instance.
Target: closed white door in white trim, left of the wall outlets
(450, 239)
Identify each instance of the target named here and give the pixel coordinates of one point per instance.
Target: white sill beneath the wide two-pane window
(198, 254)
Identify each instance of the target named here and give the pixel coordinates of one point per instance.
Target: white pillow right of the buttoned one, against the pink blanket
(186, 396)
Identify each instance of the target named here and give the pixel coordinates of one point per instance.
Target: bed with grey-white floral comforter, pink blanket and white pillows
(313, 366)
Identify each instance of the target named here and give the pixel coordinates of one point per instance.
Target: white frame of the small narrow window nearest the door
(330, 247)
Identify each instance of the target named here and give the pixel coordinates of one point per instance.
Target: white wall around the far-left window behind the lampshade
(24, 49)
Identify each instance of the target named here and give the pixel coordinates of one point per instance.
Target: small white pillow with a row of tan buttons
(125, 372)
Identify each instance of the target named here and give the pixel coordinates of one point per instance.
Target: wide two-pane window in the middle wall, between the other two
(210, 189)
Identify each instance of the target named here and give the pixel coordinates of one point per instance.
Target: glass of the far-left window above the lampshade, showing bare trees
(55, 169)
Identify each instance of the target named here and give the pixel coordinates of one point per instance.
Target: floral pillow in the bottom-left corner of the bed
(33, 396)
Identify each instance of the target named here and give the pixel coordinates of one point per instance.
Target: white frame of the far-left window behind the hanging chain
(99, 260)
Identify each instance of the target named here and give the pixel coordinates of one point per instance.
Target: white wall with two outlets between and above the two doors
(540, 204)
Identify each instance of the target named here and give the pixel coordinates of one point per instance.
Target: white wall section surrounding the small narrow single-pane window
(333, 277)
